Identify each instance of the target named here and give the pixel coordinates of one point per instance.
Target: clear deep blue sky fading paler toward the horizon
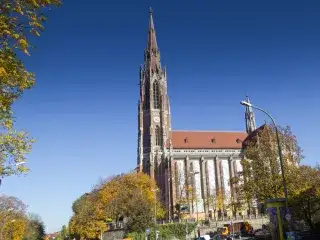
(83, 109)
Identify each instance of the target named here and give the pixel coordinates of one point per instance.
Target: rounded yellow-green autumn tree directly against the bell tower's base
(120, 204)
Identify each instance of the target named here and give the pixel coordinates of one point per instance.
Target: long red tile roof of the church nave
(207, 140)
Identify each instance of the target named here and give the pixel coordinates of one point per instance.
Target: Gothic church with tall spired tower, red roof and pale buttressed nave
(203, 161)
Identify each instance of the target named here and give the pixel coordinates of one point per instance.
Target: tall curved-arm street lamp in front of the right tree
(247, 104)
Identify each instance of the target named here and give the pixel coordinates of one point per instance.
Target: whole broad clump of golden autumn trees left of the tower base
(130, 198)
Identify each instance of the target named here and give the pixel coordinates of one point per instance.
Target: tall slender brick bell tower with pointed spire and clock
(154, 124)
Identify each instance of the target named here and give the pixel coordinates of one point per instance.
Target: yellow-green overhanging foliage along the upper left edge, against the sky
(19, 19)
